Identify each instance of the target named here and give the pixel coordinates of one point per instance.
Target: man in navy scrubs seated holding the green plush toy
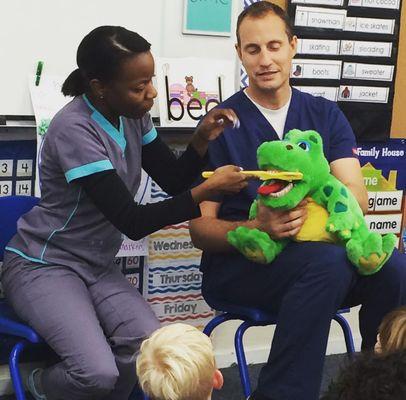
(309, 281)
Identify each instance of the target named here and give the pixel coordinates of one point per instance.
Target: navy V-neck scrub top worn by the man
(239, 146)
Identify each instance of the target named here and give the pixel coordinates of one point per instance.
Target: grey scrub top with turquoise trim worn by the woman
(66, 228)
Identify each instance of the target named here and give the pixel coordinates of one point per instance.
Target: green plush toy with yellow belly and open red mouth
(333, 213)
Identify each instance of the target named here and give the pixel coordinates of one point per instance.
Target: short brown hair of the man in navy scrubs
(259, 10)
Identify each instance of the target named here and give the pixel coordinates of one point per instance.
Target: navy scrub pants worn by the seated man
(306, 284)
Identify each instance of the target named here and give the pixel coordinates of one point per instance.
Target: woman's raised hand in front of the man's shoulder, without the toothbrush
(211, 126)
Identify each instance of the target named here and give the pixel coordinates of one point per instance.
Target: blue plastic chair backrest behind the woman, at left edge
(11, 209)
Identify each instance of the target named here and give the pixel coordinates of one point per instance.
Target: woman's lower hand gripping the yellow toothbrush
(225, 180)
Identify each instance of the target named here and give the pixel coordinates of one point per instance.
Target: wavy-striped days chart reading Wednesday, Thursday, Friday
(172, 279)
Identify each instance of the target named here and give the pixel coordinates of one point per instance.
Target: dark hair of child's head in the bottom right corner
(373, 377)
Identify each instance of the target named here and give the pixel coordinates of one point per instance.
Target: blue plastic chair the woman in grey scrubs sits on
(11, 208)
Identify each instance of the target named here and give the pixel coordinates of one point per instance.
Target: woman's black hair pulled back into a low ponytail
(100, 55)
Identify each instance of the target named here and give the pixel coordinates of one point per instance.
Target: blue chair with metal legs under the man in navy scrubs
(255, 317)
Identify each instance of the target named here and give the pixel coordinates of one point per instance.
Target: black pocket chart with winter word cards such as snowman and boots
(347, 52)
